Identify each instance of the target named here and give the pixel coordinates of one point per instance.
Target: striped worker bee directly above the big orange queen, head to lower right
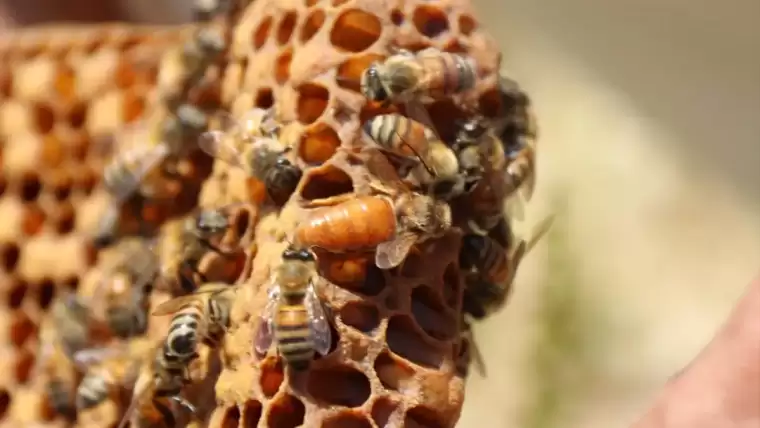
(422, 154)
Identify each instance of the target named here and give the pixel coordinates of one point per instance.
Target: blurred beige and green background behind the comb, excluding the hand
(649, 155)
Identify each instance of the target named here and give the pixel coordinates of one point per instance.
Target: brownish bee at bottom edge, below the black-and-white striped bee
(157, 390)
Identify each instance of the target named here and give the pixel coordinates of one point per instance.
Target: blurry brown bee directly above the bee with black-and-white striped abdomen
(188, 240)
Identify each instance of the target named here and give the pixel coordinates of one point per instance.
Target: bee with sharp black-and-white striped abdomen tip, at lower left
(201, 316)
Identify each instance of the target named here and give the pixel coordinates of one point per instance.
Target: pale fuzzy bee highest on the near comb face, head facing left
(429, 73)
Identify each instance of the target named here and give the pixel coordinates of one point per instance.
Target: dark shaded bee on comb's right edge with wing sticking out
(491, 269)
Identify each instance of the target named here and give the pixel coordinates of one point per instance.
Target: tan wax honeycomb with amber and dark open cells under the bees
(397, 359)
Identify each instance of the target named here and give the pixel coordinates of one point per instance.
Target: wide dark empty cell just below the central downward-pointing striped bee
(341, 385)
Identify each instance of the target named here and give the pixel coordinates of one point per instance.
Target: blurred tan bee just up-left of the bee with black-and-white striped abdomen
(125, 289)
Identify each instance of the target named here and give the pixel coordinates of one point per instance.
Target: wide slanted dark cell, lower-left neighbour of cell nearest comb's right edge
(405, 341)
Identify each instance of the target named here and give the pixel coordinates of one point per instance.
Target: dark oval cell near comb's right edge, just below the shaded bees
(431, 314)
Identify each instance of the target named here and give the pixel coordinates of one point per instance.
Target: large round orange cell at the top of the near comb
(355, 30)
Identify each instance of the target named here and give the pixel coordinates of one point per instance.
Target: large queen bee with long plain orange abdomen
(390, 222)
